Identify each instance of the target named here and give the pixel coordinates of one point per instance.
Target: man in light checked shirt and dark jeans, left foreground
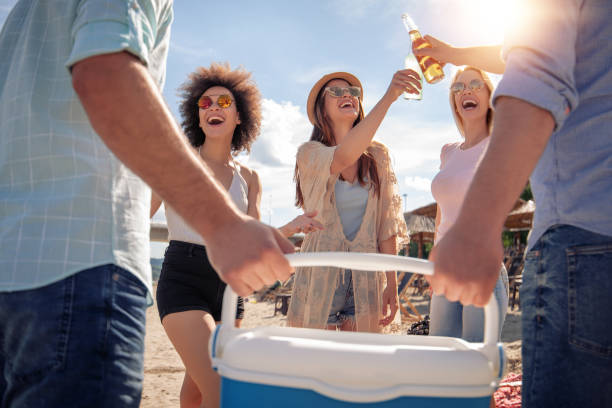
(83, 132)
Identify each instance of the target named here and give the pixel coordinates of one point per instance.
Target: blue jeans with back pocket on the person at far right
(566, 301)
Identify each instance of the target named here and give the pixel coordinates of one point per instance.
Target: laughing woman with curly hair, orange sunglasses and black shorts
(221, 116)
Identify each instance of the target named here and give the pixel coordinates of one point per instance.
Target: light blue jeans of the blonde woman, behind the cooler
(452, 319)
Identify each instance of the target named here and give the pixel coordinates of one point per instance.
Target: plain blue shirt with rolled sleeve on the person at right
(560, 60)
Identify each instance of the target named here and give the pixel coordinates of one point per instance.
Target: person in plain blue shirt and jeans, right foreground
(553, 111)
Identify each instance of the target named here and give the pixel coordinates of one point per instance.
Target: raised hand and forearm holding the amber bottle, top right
(487, 57)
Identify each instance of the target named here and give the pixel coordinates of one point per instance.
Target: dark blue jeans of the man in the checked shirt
(78, 342)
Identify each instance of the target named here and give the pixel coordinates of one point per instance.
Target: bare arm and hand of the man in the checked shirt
(146, 138)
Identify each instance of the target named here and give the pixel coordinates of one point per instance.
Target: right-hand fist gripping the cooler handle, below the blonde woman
(466, 266)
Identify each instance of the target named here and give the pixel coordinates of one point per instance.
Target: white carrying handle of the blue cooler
(367, 262)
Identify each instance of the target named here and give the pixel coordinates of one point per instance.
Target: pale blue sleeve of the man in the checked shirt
(108, 26)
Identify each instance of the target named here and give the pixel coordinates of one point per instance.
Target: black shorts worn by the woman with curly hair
(189, 282)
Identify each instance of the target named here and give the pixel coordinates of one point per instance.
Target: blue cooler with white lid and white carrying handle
(294, 367)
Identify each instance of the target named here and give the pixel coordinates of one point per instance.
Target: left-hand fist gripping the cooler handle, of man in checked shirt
(248, 255)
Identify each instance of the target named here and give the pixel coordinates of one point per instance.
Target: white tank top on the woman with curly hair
(178, 229)
